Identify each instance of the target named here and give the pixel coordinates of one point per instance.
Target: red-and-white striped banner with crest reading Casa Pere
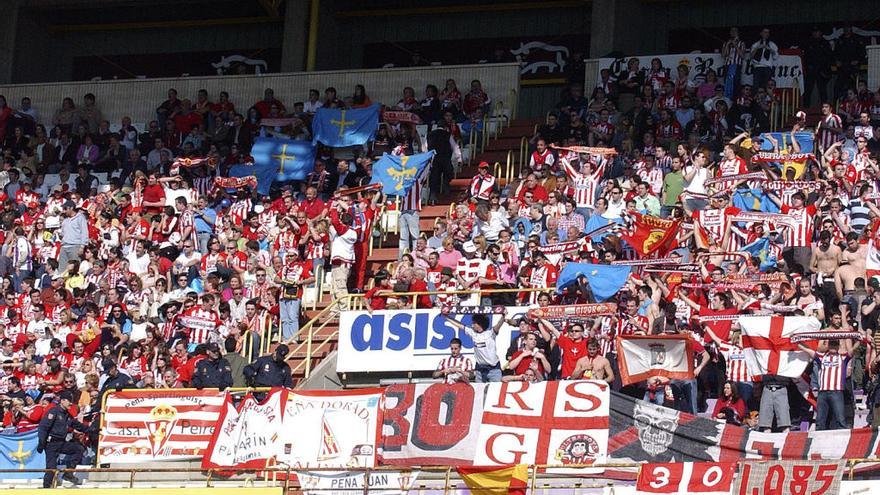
(158, 425)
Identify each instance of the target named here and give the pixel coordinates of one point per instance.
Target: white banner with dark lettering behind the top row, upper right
(789, 68)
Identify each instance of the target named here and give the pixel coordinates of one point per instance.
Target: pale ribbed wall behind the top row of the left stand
(138, 98)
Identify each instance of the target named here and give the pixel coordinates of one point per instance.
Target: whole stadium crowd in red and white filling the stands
(154, 277)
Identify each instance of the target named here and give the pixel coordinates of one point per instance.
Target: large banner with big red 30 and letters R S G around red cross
(556, 423)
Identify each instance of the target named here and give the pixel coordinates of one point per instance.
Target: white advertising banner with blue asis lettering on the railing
(410, 340)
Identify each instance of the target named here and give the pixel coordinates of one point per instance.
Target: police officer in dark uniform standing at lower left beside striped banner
(53, 439)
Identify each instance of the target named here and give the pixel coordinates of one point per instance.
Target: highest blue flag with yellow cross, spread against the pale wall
(338, 127)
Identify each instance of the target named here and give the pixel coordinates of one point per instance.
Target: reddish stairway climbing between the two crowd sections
(507, 144)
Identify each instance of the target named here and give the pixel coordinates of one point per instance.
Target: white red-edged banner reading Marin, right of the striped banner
(246, 435)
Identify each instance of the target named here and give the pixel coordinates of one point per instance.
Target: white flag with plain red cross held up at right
(767, 345)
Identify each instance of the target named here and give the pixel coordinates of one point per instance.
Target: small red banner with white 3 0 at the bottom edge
(690, 477)
